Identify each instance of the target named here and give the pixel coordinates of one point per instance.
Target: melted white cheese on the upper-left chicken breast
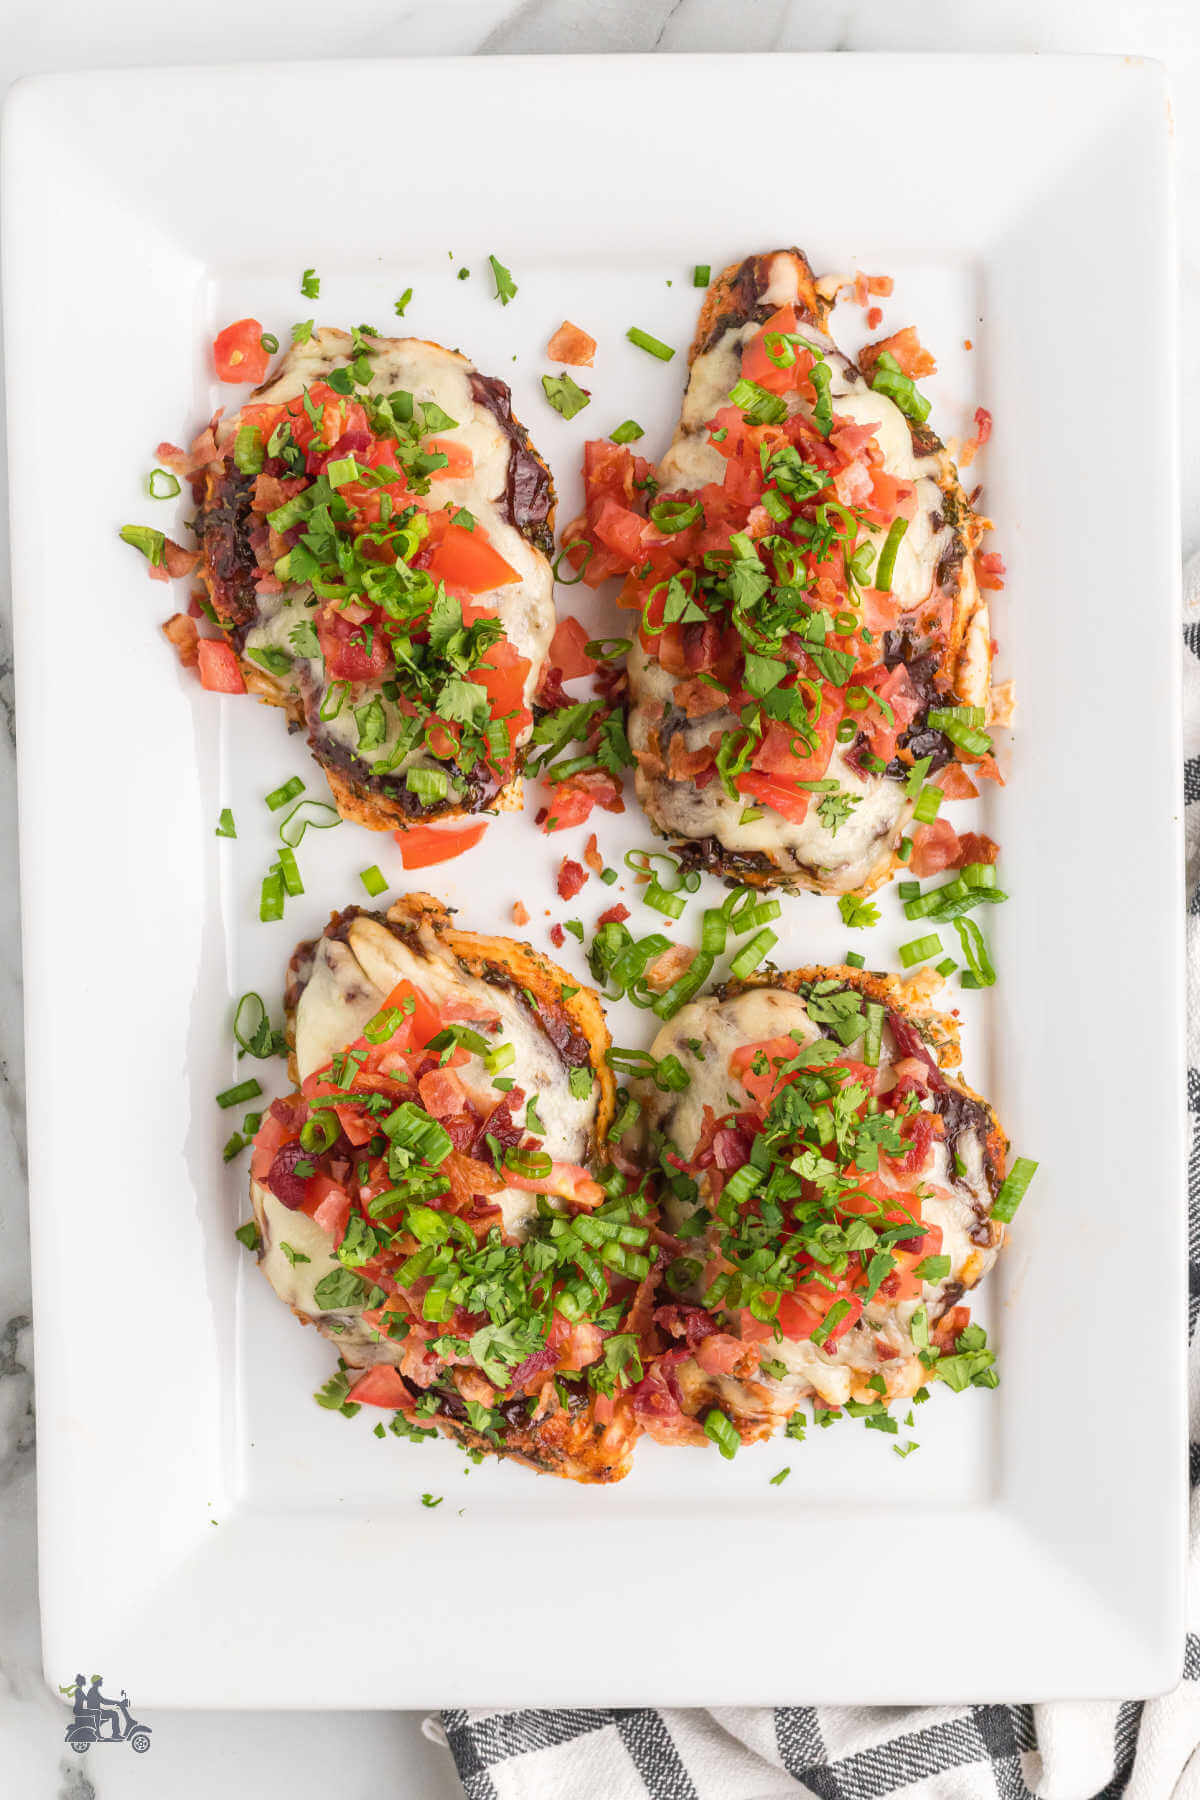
(524, 607)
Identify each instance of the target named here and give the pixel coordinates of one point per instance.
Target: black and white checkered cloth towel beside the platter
(1073, 1750)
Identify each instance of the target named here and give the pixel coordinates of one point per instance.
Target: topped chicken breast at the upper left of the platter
(375, 530)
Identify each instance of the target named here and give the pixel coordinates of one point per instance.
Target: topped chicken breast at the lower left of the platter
(452, 1090)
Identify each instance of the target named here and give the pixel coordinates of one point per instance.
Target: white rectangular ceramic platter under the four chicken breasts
(210, 1533)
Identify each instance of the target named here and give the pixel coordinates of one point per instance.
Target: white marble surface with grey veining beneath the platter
(386, 1754)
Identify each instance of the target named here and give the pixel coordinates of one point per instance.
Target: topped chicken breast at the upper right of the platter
(805, 566)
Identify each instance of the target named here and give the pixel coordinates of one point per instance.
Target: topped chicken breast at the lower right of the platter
(830, 1196)
